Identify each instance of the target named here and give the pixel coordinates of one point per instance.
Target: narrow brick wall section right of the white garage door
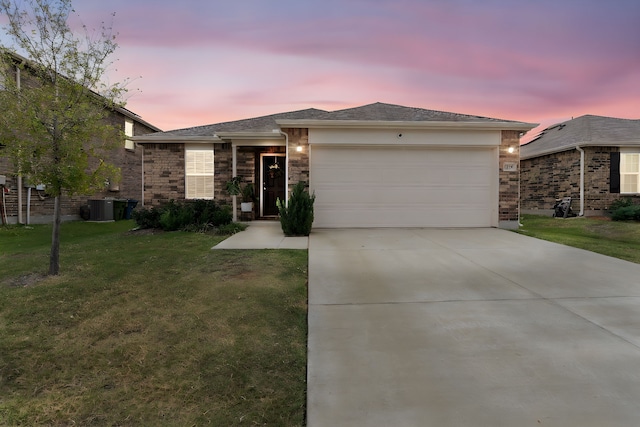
(509, 181)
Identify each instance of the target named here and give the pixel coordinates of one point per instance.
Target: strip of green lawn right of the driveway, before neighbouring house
(616, 239)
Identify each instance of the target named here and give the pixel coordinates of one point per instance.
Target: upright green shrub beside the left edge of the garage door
(296, 218)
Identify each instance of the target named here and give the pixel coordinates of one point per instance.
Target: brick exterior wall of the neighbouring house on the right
(545, 178)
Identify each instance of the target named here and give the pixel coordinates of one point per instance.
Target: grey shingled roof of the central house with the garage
(378, 112)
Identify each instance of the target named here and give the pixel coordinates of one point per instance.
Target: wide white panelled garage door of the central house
(403, 186)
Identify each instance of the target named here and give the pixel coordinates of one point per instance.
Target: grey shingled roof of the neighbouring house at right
(583, 131)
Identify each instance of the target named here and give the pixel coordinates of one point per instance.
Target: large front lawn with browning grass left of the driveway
(149, 329)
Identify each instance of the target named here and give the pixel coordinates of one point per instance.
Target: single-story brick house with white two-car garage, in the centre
(378, 165)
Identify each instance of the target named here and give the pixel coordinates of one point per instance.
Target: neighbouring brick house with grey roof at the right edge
(592, 159)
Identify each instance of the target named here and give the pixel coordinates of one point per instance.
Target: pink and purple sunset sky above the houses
(197, 62)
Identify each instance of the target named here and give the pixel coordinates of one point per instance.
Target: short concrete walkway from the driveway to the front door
(263, 235)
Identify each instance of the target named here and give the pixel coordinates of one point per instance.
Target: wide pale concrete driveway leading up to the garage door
(479, 327)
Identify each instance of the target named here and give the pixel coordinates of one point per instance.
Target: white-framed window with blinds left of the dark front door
(207, 169)
